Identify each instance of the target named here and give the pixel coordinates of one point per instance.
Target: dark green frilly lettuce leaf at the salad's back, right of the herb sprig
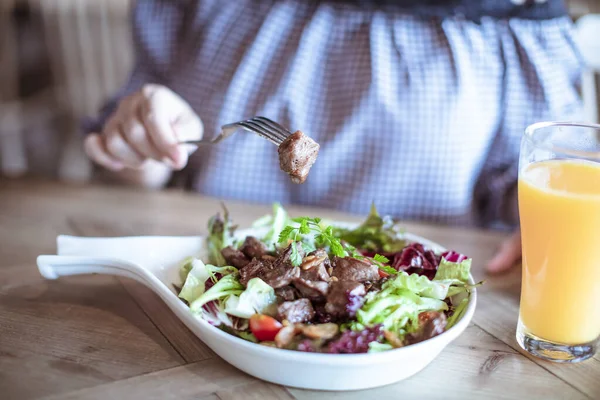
(375, 233)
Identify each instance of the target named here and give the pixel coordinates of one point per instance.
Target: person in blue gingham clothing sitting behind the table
(418, 106)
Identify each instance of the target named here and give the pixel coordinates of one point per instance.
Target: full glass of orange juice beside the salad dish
(559, 210)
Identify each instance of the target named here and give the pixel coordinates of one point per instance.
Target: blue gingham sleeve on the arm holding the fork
(155, 27)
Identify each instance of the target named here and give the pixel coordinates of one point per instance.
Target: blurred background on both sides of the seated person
(61, 59)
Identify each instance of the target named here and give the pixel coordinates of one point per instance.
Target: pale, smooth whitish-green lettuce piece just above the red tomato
(258, 298)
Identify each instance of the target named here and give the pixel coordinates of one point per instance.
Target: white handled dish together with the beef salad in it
(298, 302)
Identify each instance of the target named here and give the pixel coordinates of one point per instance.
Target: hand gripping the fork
(146, 125)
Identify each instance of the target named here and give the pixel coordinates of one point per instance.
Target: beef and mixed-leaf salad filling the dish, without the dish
(304, 285)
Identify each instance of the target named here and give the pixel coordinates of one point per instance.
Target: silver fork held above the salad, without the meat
(264, 127)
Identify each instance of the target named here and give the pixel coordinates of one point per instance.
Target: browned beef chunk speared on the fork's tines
(297, 154)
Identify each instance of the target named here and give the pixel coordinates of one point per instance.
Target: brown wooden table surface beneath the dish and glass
(104, 337)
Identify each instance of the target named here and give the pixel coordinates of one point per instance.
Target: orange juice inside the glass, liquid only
(559, 205)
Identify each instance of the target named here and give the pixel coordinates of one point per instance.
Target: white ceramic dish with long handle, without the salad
(154, 261)
